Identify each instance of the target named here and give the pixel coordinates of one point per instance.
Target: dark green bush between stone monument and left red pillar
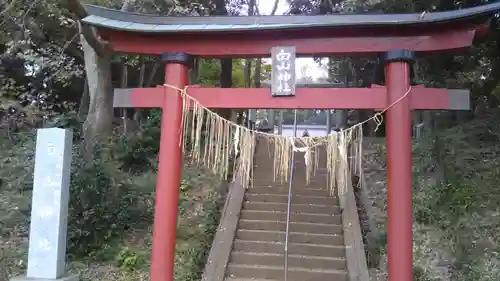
(102, 204)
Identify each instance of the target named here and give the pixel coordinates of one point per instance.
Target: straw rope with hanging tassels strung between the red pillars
(213, 140)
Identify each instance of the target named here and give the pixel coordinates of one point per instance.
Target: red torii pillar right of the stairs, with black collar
(399, 165)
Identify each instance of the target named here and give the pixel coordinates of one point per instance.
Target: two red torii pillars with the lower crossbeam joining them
(398, 127)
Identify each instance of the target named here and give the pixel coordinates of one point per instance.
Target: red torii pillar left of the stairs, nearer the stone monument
(169, 167)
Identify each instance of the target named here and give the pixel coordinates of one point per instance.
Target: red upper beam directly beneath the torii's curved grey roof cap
(259, 45)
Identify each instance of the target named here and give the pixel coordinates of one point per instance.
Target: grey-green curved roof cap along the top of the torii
(126, 21)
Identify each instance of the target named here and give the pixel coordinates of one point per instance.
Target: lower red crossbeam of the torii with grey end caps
(305, 98)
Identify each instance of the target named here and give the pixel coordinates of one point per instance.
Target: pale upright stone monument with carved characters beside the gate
(49, 208)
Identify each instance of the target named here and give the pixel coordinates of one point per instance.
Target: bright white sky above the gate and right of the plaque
(302, 65)
